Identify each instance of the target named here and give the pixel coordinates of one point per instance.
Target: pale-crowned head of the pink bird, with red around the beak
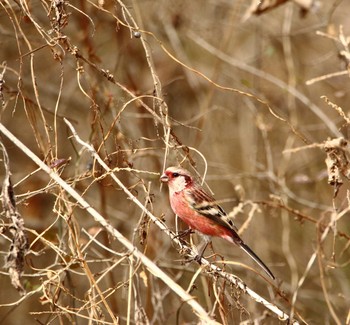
(177, 178)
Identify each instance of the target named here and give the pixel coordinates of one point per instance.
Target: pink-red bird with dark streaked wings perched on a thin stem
(200, 212)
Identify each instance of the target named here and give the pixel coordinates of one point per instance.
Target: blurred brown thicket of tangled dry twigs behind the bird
(226, 87)
